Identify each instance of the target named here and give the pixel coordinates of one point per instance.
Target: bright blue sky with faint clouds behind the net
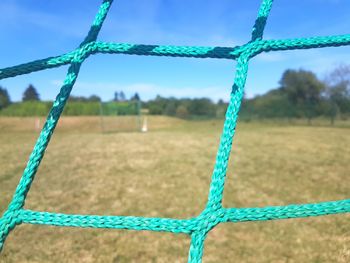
(33, 29)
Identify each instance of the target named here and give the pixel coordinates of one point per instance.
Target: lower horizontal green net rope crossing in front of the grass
(185, 226)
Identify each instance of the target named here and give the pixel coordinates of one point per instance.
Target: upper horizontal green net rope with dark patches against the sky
(255, 48)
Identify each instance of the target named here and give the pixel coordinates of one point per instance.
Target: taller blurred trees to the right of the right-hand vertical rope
(302, 95)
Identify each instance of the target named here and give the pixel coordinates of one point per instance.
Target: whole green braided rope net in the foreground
(214, 213)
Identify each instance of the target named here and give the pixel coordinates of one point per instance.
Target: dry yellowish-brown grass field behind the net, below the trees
(166, 173)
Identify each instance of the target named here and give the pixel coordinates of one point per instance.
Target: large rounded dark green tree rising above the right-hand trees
(303, 90)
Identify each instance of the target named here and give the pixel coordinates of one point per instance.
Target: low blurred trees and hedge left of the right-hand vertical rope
(119, 105)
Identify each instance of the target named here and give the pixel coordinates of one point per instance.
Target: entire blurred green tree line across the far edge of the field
(300, 94)
